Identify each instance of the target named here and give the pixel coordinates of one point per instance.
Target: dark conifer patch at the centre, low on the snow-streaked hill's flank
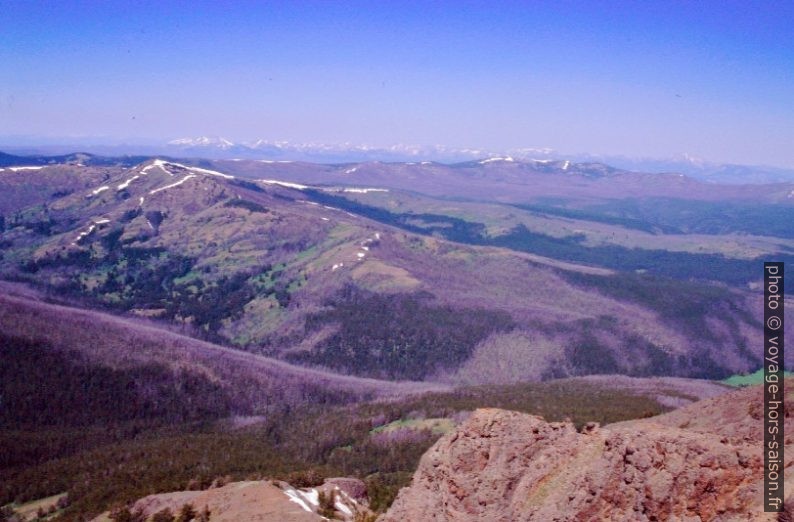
(398, 336)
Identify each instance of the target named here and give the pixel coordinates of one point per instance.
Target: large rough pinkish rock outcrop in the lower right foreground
(510, 467)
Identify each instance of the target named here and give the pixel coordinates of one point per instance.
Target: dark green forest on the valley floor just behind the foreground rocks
(298, 445)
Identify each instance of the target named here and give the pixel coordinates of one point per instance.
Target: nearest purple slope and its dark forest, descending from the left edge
(102, 410)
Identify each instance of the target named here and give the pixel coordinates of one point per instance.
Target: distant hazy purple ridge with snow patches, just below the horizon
(510, 180)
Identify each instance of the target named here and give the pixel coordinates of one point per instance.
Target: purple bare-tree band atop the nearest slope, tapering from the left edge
(253, 384)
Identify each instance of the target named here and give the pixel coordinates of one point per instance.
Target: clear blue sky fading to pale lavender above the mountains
(712, 79)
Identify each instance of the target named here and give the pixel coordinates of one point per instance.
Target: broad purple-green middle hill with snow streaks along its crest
(271, 269)
